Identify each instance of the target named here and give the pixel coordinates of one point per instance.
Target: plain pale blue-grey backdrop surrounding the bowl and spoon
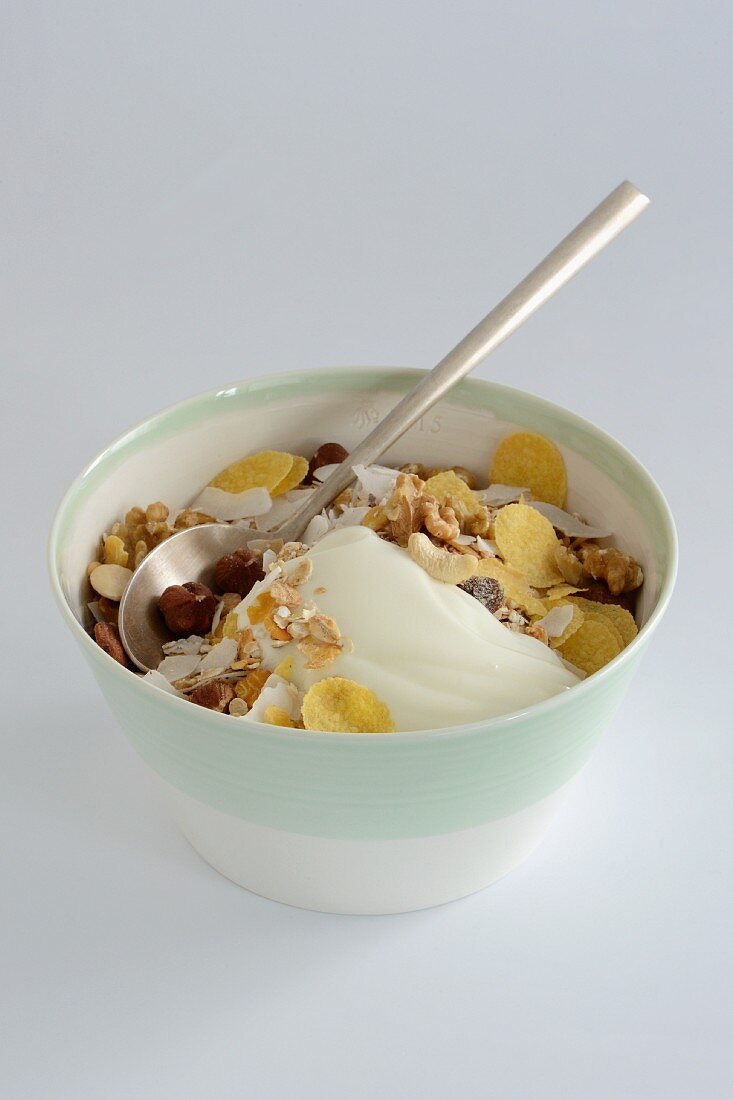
(194, 194)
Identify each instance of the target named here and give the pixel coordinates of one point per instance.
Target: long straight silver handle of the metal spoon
(603, 225)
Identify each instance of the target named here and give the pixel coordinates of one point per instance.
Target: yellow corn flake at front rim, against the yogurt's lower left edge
(343, 707)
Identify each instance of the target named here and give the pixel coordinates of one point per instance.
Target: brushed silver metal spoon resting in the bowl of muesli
(192, 555)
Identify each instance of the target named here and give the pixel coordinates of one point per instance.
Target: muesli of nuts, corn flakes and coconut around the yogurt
(262, 645)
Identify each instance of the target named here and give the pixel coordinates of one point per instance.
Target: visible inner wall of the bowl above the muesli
(172, 456)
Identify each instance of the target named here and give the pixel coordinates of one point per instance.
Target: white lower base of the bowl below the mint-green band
(360, 877)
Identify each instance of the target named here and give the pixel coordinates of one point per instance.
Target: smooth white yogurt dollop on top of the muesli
(430, 651)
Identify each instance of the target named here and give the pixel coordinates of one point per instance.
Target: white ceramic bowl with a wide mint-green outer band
(357, 823)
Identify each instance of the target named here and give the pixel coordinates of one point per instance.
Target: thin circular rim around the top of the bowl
(485, 725)
